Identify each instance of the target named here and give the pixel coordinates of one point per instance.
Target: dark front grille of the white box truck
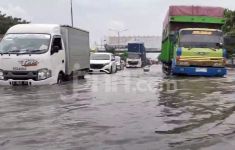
(20, 75)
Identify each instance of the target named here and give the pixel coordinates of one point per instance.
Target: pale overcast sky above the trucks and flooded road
(140, 17)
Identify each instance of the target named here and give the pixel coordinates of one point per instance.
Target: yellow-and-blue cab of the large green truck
(199, 51)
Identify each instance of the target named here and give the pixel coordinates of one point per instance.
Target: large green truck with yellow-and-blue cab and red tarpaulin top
(192, 42)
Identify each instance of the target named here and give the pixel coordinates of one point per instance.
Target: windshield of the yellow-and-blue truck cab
(200, 39)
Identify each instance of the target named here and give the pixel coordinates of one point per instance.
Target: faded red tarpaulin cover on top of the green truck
(194, 11)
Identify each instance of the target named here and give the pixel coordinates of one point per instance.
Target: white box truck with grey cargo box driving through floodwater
(42, 54)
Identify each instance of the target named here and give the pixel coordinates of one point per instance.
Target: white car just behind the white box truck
(103, 62)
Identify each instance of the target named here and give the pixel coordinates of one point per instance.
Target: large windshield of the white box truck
(25, 43)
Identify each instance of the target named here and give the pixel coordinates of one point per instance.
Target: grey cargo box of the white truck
(77, 49)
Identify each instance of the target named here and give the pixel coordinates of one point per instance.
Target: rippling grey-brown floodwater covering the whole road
(130, 110)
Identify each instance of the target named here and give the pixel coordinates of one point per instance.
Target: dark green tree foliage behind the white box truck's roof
(8, 21)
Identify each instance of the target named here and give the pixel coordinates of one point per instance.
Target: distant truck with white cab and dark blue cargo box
(136, 55)
